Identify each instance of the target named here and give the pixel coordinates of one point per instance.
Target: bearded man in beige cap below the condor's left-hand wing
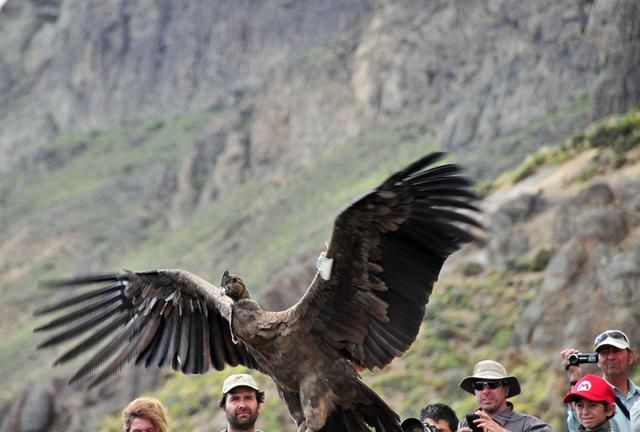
(241, 402)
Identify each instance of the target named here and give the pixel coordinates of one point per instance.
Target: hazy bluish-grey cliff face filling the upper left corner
(92, 65)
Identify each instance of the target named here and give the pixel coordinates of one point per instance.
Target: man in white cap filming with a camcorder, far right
(614, 358)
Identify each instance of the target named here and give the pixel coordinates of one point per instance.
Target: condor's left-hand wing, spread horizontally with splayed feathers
(163, 318)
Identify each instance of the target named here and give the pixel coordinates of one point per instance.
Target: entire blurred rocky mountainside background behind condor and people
(228, 135)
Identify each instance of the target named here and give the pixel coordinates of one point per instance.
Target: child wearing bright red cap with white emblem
(593, 399)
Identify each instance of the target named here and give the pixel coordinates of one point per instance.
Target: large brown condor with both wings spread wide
(363, 308)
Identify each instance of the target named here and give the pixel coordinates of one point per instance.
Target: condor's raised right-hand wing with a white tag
(387, 250)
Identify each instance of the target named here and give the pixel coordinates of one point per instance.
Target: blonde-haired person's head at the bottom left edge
(145, 414)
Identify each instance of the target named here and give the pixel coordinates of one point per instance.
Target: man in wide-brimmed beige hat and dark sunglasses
(491, 386)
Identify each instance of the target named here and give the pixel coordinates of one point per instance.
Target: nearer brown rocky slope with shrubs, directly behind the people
(563, 241)
